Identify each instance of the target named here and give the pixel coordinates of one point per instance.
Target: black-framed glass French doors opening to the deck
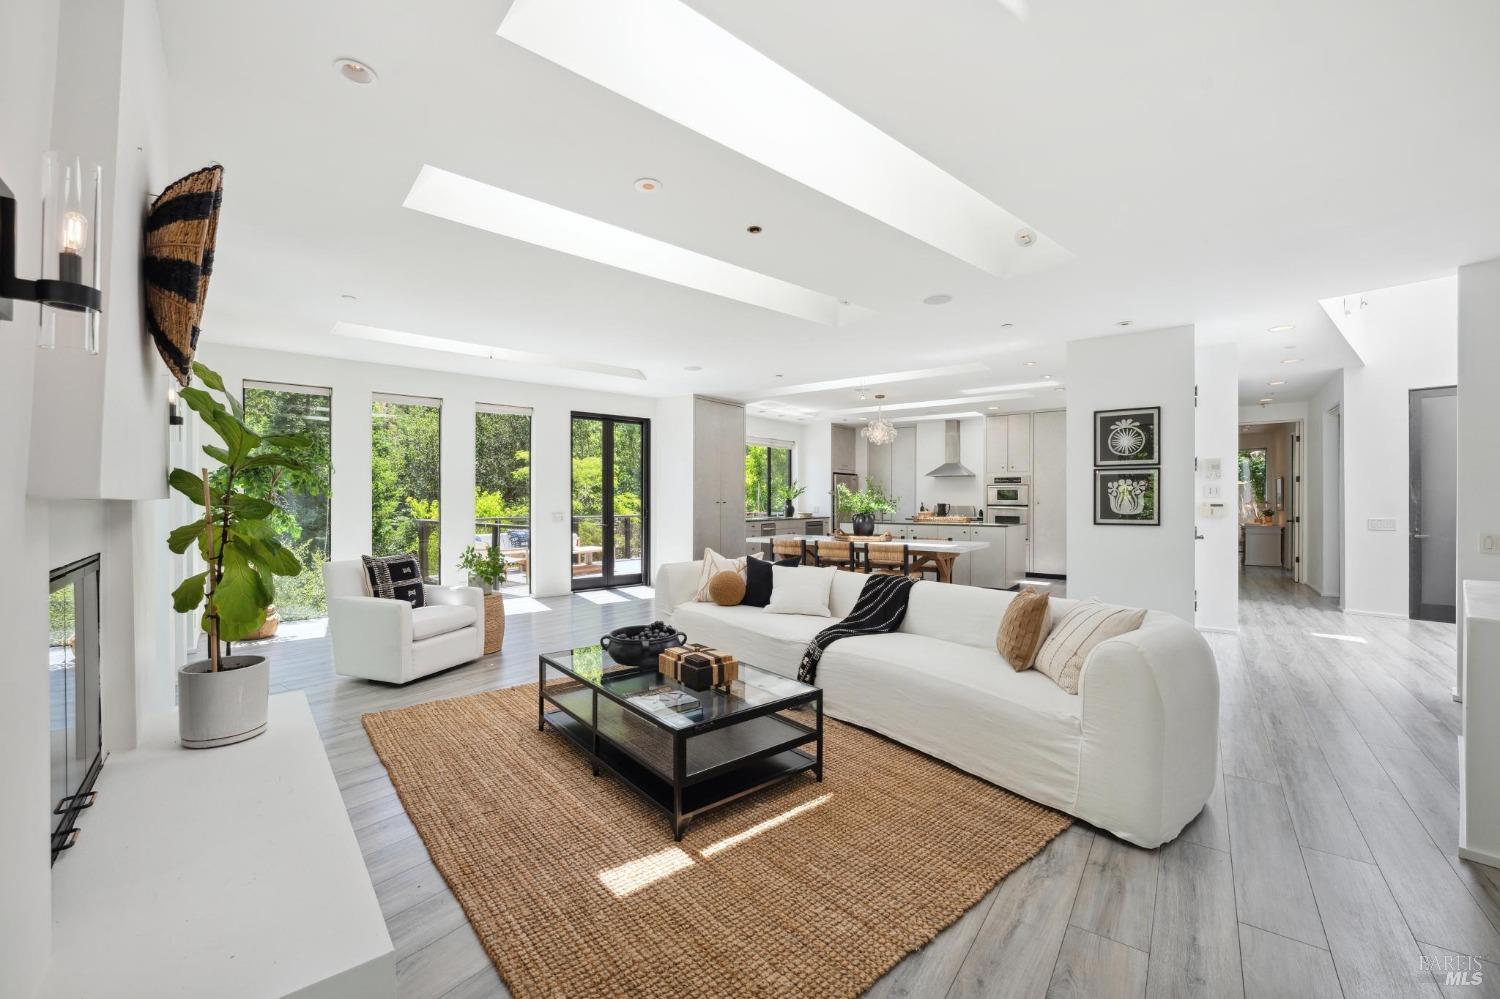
(611, 500)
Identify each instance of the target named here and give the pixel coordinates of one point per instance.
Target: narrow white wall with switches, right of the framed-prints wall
(1216, 428)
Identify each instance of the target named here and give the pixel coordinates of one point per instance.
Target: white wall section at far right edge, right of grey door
(1478, 418)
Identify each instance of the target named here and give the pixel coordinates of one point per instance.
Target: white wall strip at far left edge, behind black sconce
(28, 65)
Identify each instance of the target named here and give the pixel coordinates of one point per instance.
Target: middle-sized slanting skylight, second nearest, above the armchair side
(449, 196)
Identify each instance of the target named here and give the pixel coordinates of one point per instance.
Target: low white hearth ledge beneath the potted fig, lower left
(229, 872)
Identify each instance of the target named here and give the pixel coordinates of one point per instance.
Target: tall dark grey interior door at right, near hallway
(1435, 503)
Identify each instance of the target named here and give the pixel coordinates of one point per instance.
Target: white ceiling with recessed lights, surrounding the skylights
(1205, 163)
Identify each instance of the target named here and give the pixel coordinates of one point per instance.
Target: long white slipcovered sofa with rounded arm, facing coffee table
(1135, 752)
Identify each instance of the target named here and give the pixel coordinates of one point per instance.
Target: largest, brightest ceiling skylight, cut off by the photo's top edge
(665, 56)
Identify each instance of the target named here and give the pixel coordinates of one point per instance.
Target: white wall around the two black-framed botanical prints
(1136, 566)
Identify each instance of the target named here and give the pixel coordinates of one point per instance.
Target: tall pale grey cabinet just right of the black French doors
(719, 485)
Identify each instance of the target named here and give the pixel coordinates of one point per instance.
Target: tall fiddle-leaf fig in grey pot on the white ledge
(223, 700)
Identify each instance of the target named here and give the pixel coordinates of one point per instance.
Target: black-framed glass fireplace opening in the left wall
(73, 682)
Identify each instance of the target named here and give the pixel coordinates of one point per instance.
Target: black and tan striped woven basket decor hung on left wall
(179, 260)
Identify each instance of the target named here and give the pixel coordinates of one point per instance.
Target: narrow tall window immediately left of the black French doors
(503, 488)
